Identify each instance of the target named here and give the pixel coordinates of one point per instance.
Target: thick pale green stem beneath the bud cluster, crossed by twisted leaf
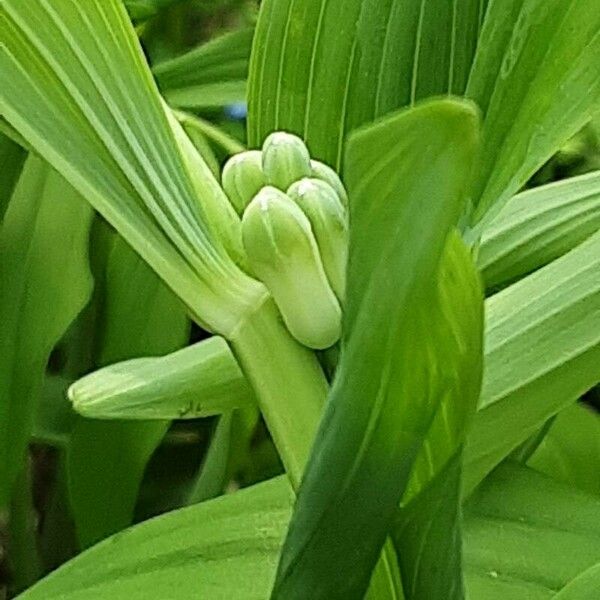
(291, 390)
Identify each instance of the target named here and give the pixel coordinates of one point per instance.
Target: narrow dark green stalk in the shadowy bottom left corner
(23, 551)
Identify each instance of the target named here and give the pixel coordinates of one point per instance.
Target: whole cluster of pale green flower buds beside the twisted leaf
(295, 233)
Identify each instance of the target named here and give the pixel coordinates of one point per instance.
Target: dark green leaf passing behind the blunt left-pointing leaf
(106, 460)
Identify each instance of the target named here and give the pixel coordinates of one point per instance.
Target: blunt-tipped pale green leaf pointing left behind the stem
(198, 381)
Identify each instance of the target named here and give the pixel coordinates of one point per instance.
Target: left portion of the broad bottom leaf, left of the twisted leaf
(225, 549)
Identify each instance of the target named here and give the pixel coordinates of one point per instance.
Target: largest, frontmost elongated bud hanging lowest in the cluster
(283, 253)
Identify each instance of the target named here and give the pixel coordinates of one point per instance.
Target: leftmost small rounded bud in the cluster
(242, 178)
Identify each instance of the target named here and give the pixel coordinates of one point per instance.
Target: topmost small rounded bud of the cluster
(285, 159)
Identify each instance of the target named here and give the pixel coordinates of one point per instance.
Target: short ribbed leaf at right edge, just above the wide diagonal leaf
(537, 226)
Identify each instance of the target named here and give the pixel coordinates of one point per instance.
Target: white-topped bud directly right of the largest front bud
(329, 223)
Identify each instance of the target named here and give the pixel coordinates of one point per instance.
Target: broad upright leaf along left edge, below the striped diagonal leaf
(44, 283)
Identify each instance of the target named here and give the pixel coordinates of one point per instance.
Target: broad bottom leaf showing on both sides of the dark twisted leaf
(227, 549)
